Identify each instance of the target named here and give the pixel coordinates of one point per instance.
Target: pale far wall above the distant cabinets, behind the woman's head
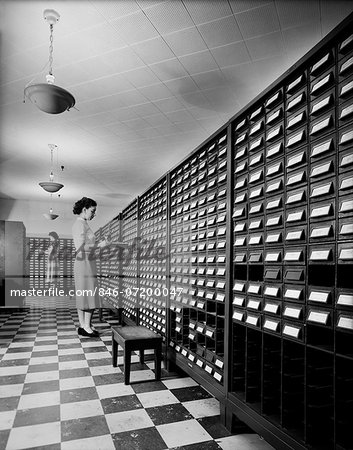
(31, 214)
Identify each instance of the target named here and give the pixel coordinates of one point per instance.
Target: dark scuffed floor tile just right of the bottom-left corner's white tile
(83, 428)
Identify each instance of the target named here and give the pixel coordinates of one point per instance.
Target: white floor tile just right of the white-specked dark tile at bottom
(183, 433)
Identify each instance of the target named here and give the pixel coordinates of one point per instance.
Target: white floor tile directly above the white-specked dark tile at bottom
(128, 420)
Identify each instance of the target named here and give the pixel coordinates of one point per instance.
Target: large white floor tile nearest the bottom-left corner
(34, 436)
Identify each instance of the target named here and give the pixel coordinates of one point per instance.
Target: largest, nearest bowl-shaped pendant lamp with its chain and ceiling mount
(48, 97)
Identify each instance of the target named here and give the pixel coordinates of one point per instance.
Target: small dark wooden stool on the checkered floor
(132, 339)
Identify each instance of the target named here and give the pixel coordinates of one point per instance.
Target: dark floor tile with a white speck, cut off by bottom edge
(143, 439)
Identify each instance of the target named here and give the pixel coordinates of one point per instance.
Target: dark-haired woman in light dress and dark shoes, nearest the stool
(85, 270)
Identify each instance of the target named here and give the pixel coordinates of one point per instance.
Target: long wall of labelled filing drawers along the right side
(257, 224)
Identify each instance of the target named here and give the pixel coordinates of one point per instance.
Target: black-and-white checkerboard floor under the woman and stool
(59, 391)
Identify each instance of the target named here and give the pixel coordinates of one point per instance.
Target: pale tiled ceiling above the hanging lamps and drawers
(152, 80)
